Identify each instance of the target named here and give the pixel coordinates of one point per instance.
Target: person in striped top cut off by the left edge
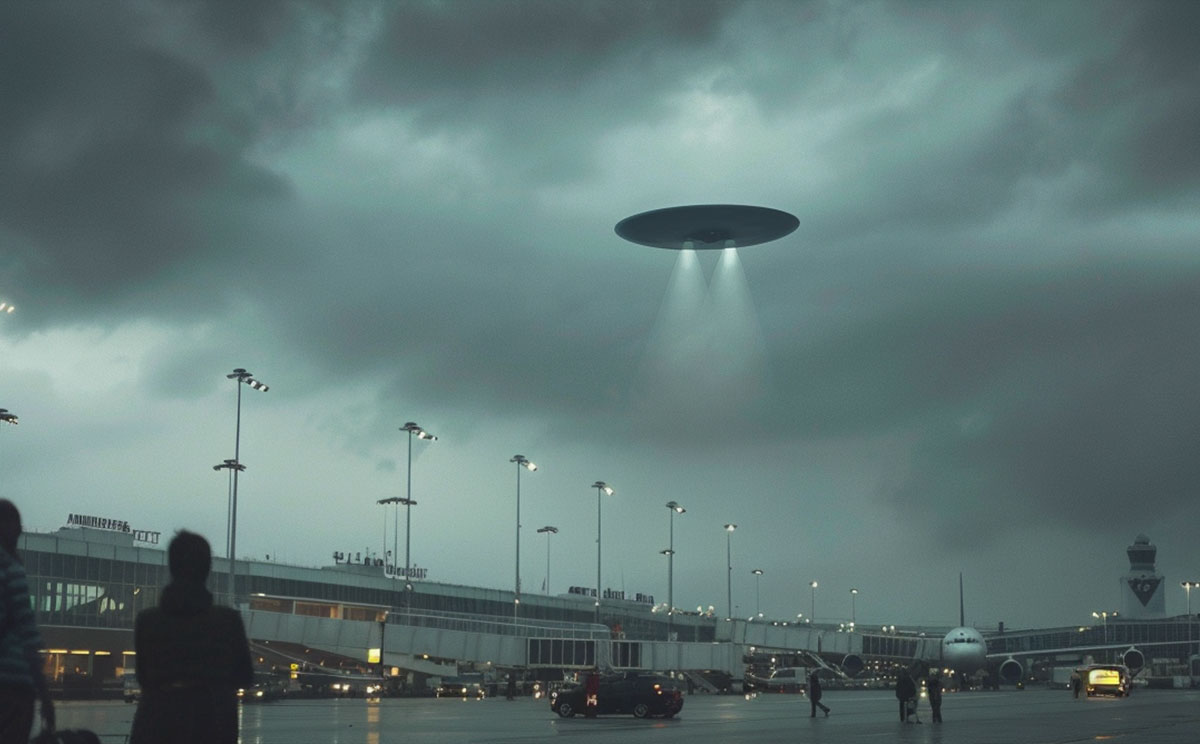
(22, 680)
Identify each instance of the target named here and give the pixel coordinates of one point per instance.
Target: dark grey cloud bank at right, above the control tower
(1069, 395)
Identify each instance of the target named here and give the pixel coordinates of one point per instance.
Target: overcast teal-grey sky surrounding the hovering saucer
(980, 352)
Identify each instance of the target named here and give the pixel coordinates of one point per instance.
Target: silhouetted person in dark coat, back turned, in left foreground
(191, 657)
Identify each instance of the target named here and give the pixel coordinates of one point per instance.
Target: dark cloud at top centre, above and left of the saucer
(539, 80)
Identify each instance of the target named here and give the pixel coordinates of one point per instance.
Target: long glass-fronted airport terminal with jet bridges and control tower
(89, 580)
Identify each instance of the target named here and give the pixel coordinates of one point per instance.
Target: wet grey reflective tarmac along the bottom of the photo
(1028, 717)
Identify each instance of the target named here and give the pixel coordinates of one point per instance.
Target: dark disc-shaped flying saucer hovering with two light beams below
(707, 226)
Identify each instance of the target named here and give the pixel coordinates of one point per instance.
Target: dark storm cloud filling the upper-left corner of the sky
(116, 165)
